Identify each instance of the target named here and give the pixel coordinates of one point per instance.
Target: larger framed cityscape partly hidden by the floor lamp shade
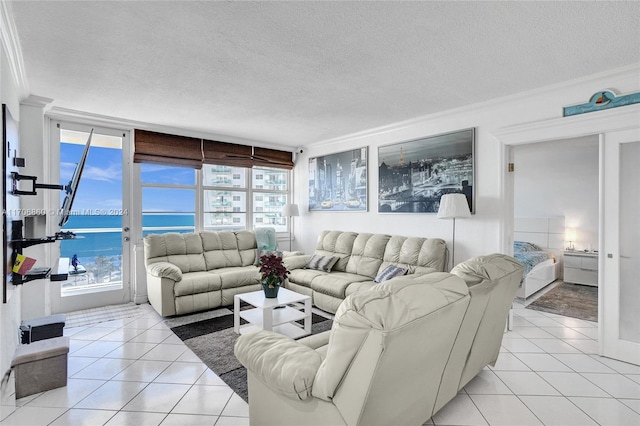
(414, 175)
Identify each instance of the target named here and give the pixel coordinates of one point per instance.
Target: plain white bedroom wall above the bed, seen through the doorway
(560, 178)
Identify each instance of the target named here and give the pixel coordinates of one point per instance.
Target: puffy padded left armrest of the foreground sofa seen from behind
(279, 362)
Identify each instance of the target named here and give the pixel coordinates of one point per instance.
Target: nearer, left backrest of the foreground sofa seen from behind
(399, 331)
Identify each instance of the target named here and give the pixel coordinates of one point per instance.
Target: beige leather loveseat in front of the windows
(197, 271)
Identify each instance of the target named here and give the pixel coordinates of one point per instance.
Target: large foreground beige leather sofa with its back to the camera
(396, 354)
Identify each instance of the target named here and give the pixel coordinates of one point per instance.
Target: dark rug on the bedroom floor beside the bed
(571, 300)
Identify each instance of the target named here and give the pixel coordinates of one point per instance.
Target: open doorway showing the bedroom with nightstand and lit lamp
(558, 180)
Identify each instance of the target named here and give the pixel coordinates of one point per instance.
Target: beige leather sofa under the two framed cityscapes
(361, 257)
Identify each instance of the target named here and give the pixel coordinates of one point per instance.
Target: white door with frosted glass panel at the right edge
(620, 257)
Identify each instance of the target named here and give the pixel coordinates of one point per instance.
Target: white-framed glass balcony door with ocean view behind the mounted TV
(99, 255)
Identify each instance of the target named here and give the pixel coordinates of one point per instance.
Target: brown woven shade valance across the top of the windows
(160, 148)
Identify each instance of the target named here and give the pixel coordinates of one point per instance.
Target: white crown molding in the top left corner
(11, 45)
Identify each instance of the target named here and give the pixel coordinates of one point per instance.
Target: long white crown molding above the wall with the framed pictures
(517, 97)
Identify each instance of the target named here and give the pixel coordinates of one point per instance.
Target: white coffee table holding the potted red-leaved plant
(279, 314)
